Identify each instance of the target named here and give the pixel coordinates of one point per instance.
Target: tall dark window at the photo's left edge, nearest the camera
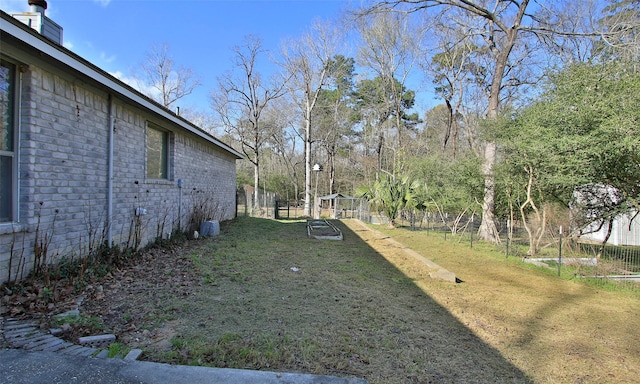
(8, 94)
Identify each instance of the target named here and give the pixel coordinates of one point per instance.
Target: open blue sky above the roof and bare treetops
(116, 35)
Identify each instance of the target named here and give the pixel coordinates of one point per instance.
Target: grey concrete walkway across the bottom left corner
(38, 358)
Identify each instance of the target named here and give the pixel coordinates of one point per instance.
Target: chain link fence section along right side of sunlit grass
(572, 256)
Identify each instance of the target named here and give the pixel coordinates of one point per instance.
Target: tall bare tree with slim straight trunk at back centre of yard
(307, 60)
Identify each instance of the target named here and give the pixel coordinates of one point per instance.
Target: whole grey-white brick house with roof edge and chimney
(86, 160)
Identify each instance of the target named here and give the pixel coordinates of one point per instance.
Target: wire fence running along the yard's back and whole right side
(578, 257)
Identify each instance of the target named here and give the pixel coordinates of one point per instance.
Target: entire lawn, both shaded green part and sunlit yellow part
(363, 307)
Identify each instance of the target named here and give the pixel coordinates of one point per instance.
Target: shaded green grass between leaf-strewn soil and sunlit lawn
(281, 301)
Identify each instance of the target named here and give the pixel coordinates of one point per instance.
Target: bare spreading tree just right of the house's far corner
(240, 100)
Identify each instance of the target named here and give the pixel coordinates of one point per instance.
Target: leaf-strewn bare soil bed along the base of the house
(125, 302)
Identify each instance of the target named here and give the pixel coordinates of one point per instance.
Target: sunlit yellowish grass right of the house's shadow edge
(554, 330)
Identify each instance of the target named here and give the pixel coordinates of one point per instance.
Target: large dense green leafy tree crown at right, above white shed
(583, 131)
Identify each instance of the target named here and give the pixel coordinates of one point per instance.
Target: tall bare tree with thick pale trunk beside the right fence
(505, 34)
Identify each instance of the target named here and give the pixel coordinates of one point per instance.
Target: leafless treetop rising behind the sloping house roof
(166, 82)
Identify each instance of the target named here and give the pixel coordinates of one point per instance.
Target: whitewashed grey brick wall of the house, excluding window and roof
(63, 171)
